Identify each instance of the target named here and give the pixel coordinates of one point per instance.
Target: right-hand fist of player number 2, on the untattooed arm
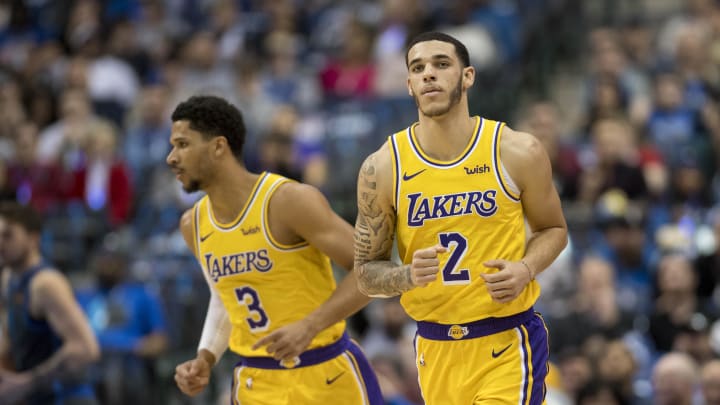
(508, 283)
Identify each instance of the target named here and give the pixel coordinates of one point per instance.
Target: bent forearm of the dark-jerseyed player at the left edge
(66, 364)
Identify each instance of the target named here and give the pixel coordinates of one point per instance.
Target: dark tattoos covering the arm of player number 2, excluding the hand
(374, 232)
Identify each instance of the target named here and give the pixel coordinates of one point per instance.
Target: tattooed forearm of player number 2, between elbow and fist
(384, 278)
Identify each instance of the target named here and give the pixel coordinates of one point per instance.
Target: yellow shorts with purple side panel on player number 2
(483, 362)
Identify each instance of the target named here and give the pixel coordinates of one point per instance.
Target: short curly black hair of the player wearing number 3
(214, 116)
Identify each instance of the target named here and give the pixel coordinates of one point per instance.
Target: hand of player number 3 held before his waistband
(289, 341)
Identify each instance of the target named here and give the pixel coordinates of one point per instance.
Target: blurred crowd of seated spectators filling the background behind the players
(624, 94)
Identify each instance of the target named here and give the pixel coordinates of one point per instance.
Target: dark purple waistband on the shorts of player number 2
(483, 327)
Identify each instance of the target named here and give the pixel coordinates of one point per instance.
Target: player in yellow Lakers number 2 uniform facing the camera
(455, 191)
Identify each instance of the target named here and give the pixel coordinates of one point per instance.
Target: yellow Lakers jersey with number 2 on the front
(468, 205)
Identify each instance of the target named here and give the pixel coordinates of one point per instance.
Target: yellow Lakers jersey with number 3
(263, 284)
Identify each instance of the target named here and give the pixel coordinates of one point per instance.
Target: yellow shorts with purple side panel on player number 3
(335, 374)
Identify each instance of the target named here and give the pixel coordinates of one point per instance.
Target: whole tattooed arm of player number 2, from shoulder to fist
(374, 233)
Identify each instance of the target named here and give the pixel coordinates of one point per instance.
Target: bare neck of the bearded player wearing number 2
(445, 137)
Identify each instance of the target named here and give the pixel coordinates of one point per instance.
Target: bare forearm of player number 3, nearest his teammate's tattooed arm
(344, 301)
